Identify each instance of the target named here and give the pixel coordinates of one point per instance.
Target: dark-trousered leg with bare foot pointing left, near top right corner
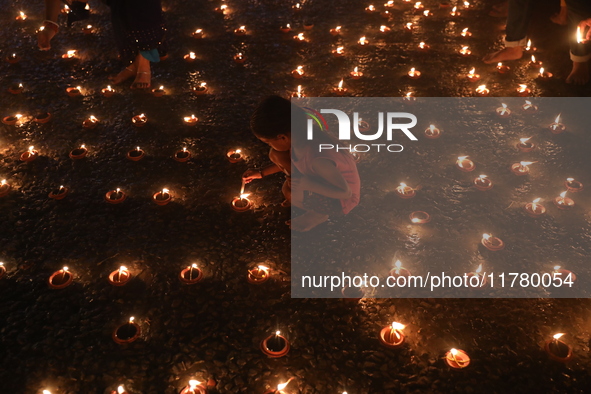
(520, 12)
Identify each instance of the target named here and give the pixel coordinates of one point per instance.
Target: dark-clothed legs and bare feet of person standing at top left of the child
(139, 33)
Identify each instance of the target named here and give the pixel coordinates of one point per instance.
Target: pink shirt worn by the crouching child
(345, 164)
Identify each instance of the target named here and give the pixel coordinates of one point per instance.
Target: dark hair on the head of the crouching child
(273, 116)
